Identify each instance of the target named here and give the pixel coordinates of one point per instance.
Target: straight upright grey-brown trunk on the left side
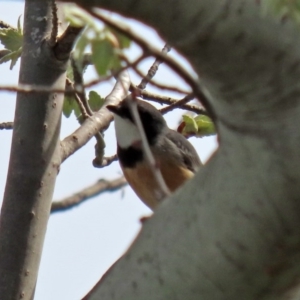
(34, 160)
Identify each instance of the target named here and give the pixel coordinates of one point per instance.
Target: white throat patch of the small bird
(127, 133)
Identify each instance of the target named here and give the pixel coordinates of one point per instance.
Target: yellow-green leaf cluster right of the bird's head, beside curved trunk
(199, 126)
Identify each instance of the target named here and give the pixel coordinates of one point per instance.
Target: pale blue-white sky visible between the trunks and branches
(83, 242)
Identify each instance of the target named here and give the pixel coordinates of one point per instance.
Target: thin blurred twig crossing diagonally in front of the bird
(163, 191)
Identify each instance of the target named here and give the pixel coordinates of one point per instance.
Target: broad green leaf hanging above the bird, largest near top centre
(102, 55)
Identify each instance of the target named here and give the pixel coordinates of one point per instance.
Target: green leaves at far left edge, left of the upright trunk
(11, 39)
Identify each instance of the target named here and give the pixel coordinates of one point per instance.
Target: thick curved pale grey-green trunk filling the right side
(233, 232)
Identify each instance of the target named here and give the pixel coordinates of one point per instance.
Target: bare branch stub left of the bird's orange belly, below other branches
(94, 190)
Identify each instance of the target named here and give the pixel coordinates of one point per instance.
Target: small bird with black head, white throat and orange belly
(174, 155)
